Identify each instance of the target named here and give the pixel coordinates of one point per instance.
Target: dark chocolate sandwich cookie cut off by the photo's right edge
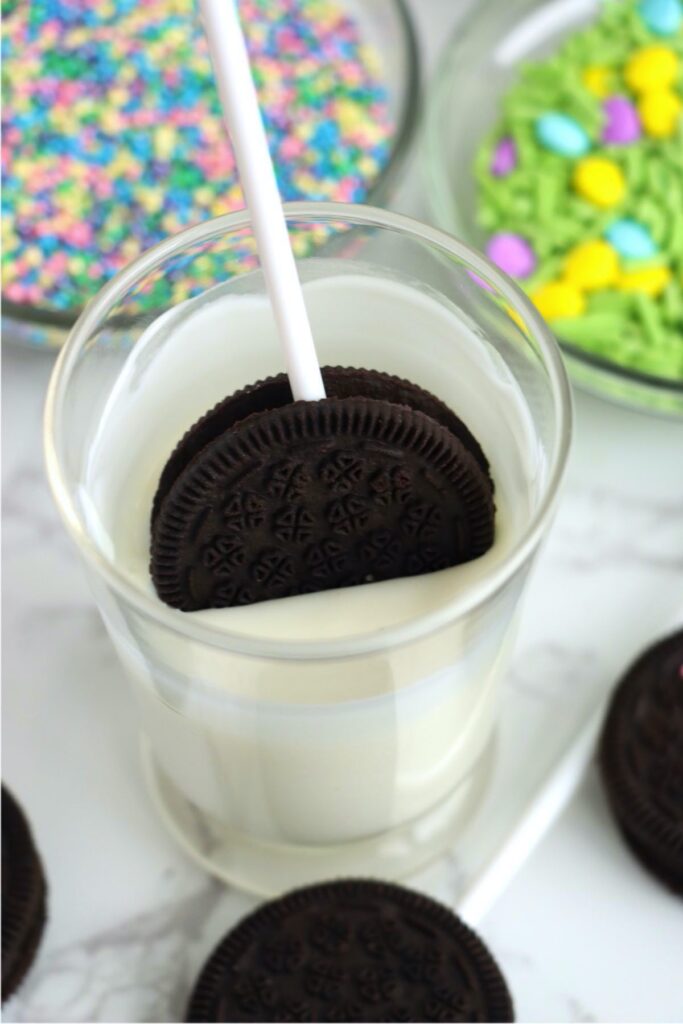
(642, 759)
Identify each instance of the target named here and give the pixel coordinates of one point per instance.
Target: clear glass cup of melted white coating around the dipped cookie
(351, 733)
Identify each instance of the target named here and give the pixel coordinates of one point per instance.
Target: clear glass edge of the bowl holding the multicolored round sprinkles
(385, 25)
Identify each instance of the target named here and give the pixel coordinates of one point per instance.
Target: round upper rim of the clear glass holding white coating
(419, 626)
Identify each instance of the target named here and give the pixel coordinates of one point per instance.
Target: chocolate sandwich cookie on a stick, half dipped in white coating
(266, 498)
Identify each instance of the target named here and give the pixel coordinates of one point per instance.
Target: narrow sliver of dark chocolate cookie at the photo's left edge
(24, 897)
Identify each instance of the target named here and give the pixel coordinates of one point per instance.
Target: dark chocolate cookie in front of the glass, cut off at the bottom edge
(352, 952)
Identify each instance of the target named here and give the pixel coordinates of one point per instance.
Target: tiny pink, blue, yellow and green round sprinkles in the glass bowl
(113, 137)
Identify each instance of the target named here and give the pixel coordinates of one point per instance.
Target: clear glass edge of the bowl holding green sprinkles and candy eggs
(478, 67)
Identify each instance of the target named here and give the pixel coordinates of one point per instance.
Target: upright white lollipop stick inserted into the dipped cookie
(243, 117)
